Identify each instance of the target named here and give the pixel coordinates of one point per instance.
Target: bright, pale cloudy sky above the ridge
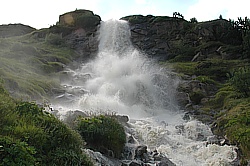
(44, 13)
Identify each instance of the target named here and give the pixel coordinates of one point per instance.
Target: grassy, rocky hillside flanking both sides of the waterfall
(211, 58)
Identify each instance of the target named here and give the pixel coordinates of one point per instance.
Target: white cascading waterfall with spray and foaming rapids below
(124, 81)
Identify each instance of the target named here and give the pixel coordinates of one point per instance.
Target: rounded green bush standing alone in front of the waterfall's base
(103, 133)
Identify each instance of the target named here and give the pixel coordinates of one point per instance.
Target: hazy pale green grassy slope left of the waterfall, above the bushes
(29, 65)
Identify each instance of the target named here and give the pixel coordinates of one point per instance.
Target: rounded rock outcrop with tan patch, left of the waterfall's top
(83, 25)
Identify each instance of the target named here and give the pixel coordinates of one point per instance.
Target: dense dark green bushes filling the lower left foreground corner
(30, 136)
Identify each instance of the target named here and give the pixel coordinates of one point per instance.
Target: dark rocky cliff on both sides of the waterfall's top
(160, 37)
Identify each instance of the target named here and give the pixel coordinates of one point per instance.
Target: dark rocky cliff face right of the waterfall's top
(166, 38)
